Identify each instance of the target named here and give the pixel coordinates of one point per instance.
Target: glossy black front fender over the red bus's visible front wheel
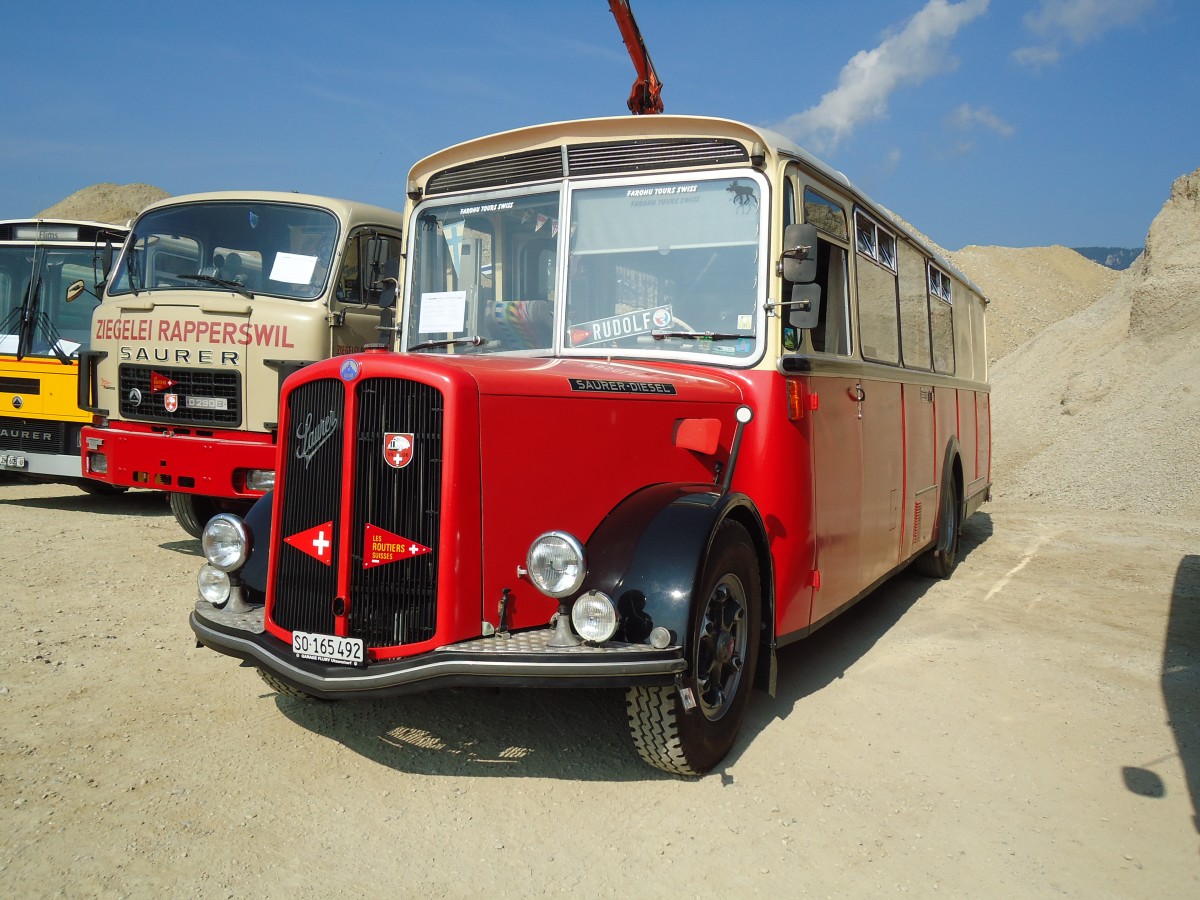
(650, 553)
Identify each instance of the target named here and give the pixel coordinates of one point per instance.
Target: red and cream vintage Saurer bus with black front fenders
(673, 395)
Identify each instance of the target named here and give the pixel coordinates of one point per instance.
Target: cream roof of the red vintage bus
(585, 131)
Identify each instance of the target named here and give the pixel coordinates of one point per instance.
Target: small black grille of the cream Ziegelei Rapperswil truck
(199, 394)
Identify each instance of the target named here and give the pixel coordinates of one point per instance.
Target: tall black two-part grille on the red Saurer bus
(393, 604)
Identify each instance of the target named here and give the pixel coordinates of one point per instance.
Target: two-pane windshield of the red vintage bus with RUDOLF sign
(656, 267)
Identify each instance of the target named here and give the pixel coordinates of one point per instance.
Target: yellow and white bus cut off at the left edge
(43, 333)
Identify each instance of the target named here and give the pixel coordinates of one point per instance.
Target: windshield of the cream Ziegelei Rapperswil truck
(248, 249)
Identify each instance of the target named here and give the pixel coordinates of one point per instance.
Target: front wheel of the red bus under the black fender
(721, 668)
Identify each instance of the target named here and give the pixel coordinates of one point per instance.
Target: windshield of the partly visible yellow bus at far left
(33, 289)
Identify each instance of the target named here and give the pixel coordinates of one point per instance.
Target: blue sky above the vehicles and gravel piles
(1013, 123)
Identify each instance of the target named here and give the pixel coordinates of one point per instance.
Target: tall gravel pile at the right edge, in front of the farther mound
(1102, 410)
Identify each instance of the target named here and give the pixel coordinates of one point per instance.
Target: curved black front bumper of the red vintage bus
(520, 659)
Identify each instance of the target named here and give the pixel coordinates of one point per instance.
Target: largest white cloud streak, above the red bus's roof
(868, 81)
